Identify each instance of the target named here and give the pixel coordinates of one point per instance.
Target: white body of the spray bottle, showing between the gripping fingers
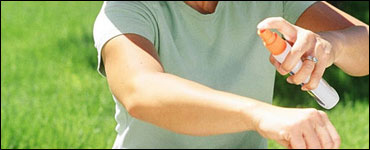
(324, 94)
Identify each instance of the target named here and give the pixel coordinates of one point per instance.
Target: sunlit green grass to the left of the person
(51, 94)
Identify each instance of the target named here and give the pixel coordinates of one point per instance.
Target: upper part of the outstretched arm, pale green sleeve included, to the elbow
(124, 35)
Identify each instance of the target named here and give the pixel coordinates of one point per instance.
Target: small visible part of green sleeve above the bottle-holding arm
(293, 9)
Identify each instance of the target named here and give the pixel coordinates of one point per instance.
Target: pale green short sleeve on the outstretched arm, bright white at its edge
(117, 18)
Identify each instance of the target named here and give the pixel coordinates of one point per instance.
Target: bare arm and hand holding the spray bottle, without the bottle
(327, 33)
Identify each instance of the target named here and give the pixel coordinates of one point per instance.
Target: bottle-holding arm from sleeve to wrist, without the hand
(348, 36)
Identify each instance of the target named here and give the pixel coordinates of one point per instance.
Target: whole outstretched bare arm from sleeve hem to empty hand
(137, 79)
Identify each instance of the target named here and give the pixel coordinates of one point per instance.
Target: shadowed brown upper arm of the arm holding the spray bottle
(322, 16)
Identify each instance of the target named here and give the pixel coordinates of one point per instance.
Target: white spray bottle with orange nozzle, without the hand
(324, 94)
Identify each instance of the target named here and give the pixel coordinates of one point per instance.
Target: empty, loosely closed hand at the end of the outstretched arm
(298, 128)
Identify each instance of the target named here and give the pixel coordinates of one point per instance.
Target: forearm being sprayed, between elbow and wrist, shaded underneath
(187, 107)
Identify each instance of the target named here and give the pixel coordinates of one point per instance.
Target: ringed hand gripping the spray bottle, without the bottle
(305, 43)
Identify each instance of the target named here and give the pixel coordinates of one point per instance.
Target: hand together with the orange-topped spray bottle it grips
(281, 50)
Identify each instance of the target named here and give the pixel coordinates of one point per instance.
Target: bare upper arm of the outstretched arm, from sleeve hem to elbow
(126, 57)
